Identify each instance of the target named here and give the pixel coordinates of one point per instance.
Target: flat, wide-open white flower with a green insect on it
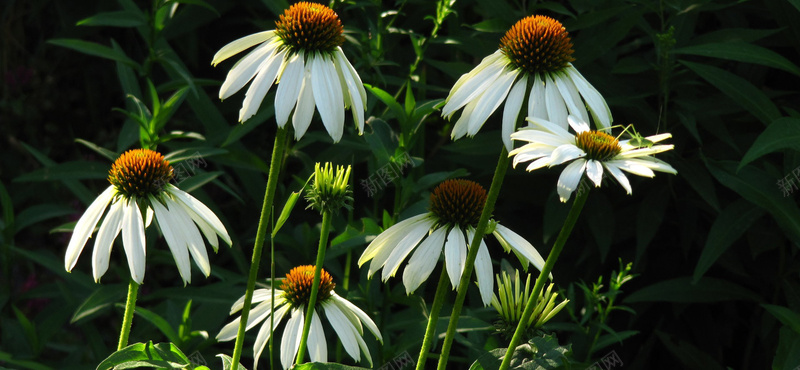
(589, 151)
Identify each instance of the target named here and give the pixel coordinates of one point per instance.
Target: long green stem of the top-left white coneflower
(261, 234)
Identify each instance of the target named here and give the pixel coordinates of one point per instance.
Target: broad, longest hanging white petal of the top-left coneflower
(328, 95)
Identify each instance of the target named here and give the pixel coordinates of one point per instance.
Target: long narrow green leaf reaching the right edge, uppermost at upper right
(742, 52)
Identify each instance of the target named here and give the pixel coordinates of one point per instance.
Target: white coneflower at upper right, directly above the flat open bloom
(535, 55)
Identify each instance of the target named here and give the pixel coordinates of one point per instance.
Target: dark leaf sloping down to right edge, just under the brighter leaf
(761, 189)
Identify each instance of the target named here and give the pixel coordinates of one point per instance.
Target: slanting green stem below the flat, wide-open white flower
(566, 230)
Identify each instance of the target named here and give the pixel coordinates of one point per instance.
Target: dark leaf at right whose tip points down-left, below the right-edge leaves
(729, 226)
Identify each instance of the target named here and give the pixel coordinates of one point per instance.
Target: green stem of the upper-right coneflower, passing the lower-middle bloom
(480, 230)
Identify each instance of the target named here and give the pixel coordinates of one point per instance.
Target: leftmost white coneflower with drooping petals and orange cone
(140, 184)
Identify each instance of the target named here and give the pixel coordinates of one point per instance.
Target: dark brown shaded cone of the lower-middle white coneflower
(458, 202)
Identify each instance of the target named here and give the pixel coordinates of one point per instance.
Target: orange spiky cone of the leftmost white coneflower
(139, 173)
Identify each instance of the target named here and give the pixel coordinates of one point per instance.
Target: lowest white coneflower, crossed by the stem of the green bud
(291, 300)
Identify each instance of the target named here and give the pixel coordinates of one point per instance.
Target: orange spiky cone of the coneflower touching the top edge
(310, 27)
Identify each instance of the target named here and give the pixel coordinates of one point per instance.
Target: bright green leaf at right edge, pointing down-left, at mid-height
(783, 133)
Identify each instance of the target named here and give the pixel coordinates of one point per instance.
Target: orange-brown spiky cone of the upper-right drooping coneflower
(538, 44)
